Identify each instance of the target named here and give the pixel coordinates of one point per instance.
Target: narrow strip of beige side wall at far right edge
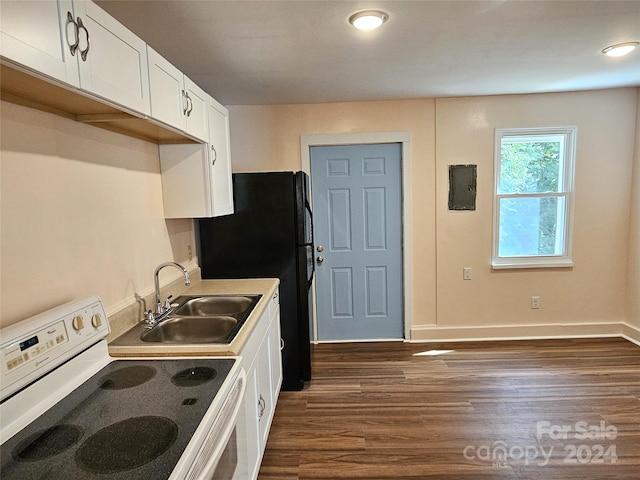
(633, 313)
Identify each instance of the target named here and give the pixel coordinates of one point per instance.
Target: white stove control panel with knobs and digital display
(35, 346)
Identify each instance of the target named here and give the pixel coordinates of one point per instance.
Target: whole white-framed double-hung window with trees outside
(533, 197)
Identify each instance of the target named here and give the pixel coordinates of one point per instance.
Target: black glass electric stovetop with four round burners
(132, 420)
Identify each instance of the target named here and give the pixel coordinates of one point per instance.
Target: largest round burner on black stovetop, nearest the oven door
(130, 443)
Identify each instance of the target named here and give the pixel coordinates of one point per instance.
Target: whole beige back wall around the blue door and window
(587, 299)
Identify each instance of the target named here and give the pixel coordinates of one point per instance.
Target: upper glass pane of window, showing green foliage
(532, 166)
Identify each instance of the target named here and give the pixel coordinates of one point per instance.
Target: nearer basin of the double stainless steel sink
(202, 329)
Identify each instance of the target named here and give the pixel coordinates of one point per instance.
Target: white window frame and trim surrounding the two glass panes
(538, 261)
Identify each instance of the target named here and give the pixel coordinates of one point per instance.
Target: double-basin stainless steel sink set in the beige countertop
(198, 319)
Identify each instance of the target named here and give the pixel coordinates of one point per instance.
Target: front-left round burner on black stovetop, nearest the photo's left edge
(47, 443)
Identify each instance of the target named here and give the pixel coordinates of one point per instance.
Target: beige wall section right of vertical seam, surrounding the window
(594, 290)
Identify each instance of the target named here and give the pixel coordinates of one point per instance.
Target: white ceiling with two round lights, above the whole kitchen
(281, 52)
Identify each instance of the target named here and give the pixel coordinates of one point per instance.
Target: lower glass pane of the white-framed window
(531, 226)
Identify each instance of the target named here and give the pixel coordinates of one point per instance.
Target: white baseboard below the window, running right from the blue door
(434, 333)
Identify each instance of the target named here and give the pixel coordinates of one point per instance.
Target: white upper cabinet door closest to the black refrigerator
(221, 180)
